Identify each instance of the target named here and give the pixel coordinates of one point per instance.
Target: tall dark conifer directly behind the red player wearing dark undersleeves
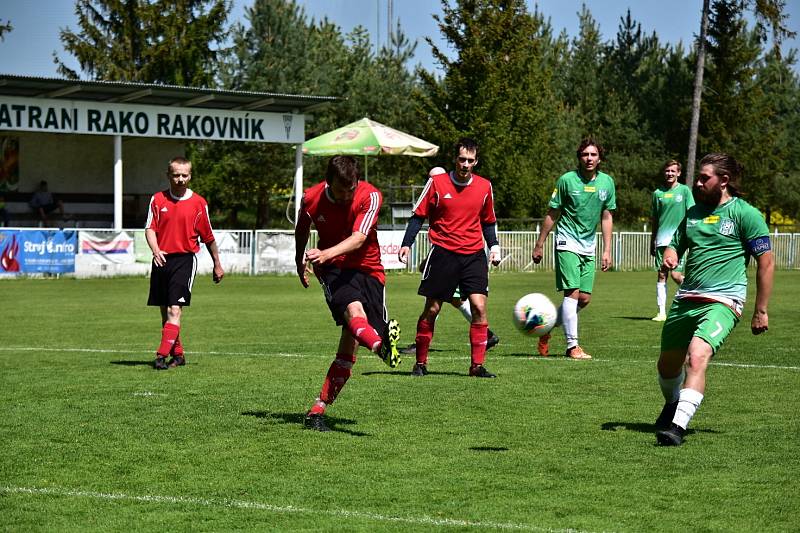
(499, 89)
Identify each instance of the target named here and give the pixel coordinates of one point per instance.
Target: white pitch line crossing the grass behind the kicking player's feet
(554, 359)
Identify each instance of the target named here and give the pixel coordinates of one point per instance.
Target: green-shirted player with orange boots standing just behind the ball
(582, 199)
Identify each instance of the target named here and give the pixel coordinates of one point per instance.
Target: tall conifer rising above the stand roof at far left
(150, 41)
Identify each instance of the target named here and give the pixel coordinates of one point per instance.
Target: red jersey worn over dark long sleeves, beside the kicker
(455, 212)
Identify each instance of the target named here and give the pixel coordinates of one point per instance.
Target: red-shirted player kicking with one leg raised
(347, 263)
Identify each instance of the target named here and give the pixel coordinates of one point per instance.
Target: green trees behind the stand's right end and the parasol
(280, 50)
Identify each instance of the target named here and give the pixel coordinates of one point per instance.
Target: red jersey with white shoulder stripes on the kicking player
(336, 222)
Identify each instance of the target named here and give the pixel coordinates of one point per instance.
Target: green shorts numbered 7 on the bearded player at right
(712, 322)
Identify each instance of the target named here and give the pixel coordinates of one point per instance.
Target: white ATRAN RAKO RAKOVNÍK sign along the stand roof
(103, 118)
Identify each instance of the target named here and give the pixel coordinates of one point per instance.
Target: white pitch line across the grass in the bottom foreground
(243, 504)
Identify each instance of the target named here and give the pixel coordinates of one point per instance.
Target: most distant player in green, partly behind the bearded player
(670, 203)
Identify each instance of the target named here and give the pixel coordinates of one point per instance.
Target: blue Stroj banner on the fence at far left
(37, 251)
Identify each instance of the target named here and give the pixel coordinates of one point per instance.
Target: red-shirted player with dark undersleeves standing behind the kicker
(460, 211)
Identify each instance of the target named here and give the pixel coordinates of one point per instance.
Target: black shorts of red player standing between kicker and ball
(445, 271)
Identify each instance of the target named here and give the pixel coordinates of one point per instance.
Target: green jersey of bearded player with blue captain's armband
(720, 241)
